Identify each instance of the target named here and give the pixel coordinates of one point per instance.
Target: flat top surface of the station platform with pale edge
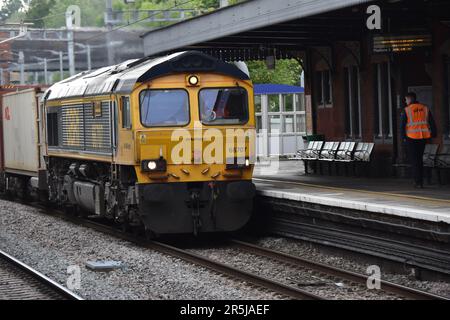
(395, 197)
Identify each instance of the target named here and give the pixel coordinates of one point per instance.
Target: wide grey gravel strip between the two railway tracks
(51, 245)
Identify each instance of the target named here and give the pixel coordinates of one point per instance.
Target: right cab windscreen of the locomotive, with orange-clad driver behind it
(224, 106)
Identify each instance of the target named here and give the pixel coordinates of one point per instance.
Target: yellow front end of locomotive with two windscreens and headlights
(193, 128)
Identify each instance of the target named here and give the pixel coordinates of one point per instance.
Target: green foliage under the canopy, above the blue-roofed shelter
(286, 72)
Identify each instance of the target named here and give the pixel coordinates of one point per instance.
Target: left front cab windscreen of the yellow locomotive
(160, 108)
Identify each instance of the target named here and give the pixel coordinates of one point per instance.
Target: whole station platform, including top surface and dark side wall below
(387, 219)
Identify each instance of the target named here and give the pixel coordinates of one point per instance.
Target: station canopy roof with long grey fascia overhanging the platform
(257, 29)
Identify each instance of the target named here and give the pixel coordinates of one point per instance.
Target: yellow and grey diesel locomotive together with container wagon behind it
(165, 143)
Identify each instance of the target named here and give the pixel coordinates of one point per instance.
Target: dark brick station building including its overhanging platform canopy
(359, 57)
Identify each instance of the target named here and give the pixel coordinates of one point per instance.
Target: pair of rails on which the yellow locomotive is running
(278, 287)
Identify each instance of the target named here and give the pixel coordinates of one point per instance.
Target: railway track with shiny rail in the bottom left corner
(19, 281)
